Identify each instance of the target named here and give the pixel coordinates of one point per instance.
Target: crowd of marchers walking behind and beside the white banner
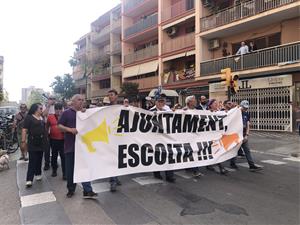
(46, 131)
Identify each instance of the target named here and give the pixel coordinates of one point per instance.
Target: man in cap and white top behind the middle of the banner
(160, 104)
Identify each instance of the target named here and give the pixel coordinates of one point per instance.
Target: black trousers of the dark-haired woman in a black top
(34, 165)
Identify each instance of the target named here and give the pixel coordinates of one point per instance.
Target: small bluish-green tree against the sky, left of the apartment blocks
(64, 86)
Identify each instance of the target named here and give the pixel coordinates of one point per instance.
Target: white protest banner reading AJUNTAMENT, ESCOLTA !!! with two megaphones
(118, 140)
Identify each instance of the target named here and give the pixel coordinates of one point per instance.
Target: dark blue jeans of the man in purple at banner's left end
(71, 186)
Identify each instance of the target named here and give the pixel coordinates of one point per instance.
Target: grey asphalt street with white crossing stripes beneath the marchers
(242, 197)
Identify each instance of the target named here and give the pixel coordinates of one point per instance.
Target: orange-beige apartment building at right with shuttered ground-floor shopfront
(270, 75)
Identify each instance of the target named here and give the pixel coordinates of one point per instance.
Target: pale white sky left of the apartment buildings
(37, 38)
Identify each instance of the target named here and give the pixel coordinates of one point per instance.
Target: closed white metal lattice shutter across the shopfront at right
(270, 108)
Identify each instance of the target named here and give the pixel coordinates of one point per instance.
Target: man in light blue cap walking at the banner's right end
(245, 145)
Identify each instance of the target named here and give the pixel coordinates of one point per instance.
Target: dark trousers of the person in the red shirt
(57, 147)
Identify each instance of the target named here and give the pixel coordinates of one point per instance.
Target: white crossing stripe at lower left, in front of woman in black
(37, 199)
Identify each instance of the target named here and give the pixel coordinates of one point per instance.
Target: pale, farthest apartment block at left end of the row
(99, 57)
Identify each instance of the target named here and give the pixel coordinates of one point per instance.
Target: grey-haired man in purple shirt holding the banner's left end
(67, 124)
